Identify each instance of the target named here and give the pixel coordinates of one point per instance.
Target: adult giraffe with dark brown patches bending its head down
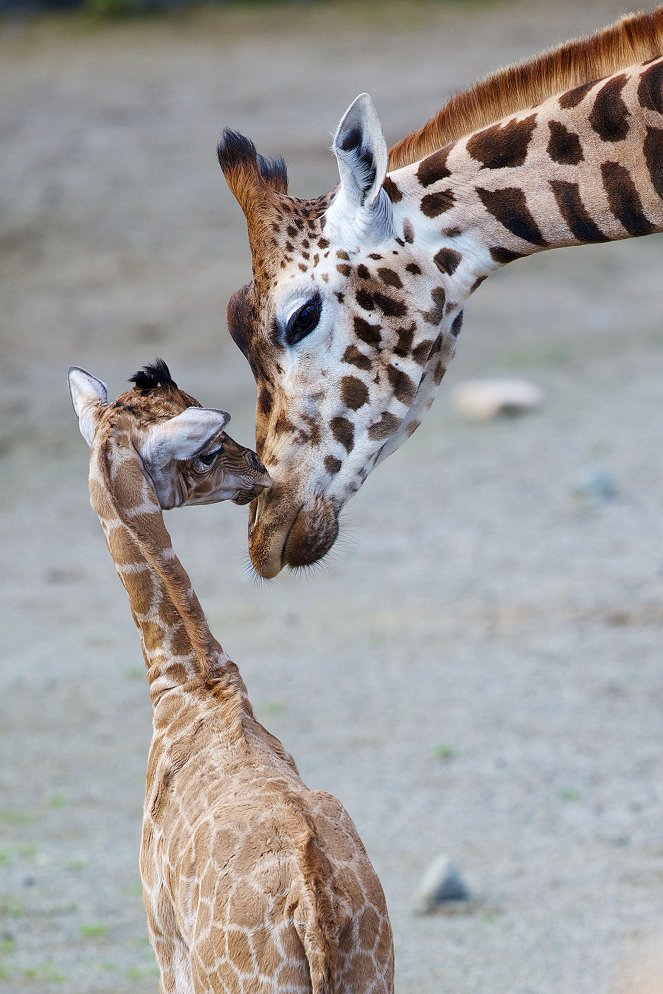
(356, 300)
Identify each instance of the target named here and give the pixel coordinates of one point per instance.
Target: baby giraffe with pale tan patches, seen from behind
(253, 883)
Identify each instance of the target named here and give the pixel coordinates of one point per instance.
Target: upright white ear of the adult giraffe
(360, 203)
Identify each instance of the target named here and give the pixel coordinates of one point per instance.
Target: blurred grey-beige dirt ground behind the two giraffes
(477, 669)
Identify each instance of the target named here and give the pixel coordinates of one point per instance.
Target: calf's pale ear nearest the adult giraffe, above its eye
(183, 436)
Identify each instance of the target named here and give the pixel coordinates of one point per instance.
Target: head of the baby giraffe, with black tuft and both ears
(184, 450)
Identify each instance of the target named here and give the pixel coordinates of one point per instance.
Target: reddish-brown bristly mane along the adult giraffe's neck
(632, 39)
